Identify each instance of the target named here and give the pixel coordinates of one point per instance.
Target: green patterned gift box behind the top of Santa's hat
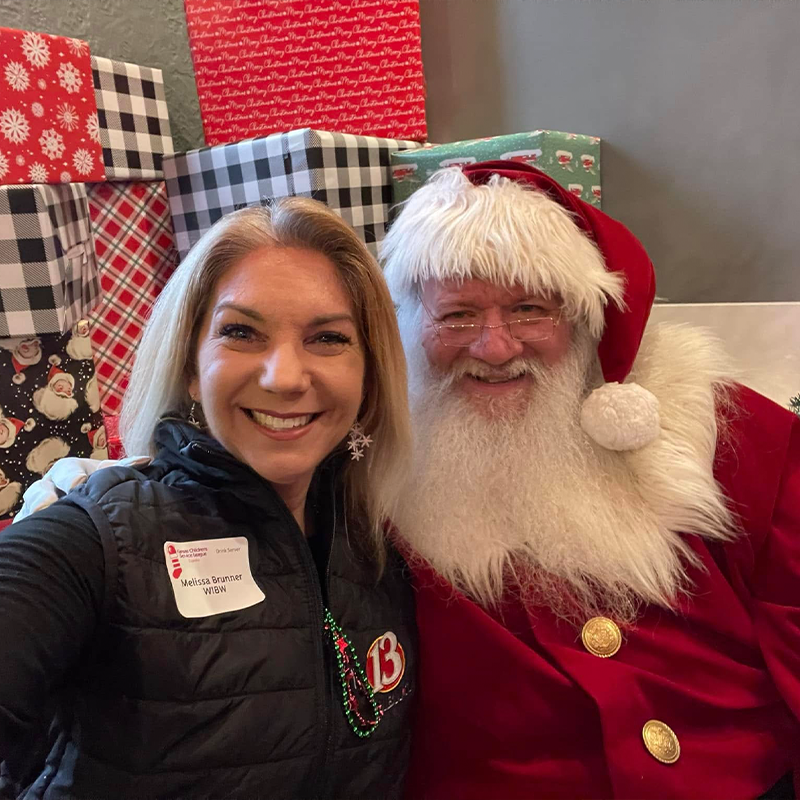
(572, 159)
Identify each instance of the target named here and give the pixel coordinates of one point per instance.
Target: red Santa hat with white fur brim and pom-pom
(613, 294)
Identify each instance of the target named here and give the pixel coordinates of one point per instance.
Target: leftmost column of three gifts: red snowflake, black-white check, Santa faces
(49, 282)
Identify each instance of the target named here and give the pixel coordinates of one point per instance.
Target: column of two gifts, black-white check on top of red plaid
(130, 216)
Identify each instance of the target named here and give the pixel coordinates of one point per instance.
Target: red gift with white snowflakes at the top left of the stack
(48, 112)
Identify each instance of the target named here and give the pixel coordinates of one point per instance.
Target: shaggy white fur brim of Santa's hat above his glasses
(502, 232)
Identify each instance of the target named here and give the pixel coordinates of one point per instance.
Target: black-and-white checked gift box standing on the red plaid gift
(132, 119)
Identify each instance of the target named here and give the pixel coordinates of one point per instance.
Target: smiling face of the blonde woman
(280, 368)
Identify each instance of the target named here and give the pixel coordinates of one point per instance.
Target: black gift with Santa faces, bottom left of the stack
(50, 409)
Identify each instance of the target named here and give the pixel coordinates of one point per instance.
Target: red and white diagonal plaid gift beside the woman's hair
(135, 250)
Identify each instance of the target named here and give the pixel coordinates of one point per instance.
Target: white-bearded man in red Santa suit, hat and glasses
(604, 528)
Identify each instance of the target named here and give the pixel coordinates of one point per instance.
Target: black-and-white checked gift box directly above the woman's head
(351, 174)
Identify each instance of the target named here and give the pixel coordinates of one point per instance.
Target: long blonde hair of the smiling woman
(166, 356)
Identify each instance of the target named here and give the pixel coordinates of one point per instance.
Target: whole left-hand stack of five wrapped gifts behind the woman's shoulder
(85, 244)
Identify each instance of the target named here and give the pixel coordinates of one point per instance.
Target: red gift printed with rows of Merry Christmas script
(348, 66)
